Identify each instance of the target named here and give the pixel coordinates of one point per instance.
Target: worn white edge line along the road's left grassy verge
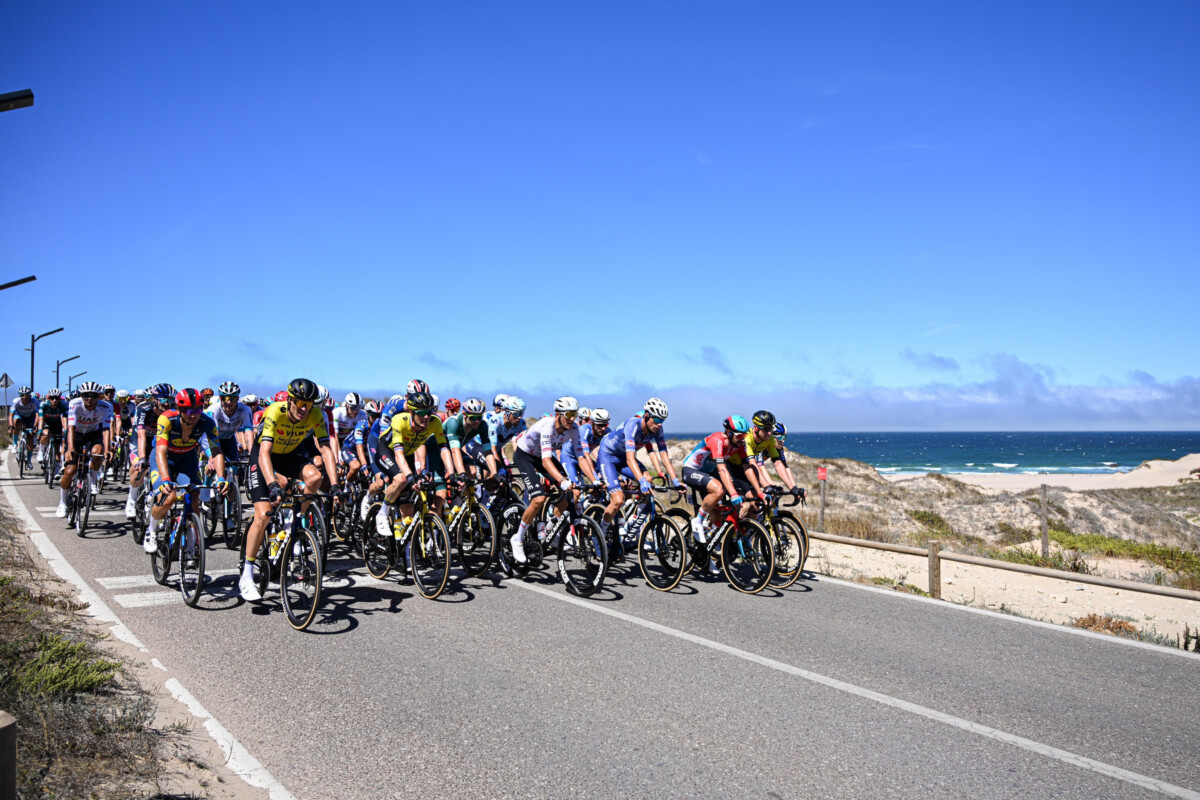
(241, 761)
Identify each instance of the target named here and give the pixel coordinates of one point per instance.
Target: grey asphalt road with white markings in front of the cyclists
(514, 689)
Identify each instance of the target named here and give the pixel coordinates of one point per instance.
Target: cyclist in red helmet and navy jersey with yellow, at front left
(178, 437)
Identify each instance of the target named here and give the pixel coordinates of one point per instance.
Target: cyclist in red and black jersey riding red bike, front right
(716, 468)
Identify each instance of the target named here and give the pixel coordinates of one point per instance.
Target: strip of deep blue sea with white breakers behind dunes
(999, 453)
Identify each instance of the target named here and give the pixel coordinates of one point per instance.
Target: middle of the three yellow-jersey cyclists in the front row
(403, 458)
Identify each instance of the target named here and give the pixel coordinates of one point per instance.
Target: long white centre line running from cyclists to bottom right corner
(1067, 757)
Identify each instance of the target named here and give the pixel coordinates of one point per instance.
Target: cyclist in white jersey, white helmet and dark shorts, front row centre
(535, 456)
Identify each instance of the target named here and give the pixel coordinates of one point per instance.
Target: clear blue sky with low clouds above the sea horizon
(872, 216)
